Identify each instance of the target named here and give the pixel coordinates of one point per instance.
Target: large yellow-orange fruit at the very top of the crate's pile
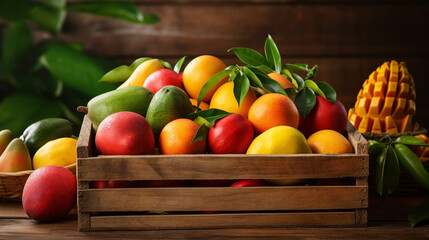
(199, 71)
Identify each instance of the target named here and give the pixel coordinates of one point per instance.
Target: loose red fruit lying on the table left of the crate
(49, 193)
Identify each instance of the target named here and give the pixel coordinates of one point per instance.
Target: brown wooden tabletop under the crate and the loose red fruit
(14, 224)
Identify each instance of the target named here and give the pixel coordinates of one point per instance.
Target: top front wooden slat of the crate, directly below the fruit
(212, 166)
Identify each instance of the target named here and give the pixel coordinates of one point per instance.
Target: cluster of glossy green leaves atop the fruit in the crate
(255, 74)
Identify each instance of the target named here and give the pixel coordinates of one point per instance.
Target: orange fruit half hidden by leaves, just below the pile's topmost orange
(224, 99)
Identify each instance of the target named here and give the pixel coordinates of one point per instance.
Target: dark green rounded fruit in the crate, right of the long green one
(169, 103)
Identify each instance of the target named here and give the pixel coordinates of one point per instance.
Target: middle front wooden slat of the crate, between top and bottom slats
(223, 199)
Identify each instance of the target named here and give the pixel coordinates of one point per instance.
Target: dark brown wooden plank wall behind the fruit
(347, 39)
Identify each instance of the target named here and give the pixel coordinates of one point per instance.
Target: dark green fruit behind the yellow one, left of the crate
(45, 130)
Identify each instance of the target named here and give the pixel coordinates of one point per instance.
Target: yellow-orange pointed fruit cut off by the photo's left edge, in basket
(15, 157)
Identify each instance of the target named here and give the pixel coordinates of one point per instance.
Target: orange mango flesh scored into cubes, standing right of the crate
(386, 102)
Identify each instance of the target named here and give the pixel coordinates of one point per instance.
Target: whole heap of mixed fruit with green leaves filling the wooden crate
(263, 107)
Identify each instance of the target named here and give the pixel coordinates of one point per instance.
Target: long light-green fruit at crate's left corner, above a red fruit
(133, 99)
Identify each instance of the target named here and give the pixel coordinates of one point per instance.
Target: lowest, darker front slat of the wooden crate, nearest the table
(228, 220)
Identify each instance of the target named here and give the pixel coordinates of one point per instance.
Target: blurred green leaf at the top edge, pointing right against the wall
(124, 11)
